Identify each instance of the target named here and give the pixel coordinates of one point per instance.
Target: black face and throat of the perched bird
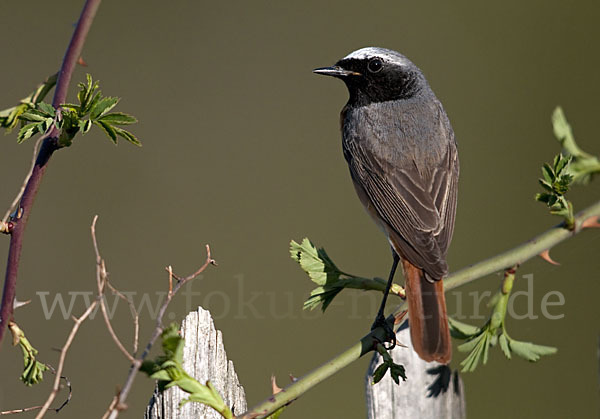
(375, 80)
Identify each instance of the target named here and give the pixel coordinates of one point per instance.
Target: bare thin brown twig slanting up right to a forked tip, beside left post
(118, 403)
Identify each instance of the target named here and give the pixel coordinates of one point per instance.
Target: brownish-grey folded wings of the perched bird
(416, 203)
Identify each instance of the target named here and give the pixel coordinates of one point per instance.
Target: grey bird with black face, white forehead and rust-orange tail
(403, 161)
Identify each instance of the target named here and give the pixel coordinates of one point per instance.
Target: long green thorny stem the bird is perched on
(515, 256)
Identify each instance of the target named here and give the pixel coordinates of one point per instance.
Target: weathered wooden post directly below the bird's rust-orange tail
(431, 391)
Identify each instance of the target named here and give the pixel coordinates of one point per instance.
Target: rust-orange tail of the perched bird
(428, 321)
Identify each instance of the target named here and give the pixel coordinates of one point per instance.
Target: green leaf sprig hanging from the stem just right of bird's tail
(493, 332)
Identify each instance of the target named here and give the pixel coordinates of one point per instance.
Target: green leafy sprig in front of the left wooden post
(168, 370)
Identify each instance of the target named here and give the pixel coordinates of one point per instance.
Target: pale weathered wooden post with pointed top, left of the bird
(204, 358)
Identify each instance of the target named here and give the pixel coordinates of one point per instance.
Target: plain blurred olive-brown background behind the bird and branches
(241, 149)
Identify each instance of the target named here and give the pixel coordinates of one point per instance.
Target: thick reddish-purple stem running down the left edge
(48, 147)
